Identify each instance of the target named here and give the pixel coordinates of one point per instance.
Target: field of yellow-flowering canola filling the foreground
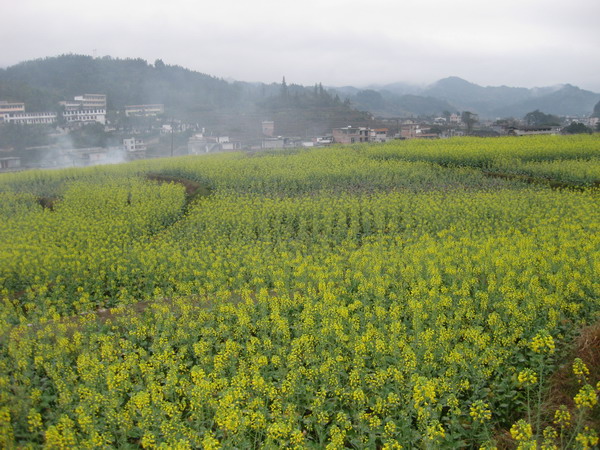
(385, 296)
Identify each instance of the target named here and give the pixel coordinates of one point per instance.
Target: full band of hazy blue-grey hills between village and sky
(237, 107)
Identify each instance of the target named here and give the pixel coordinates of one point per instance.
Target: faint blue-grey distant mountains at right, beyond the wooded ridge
(455, 94)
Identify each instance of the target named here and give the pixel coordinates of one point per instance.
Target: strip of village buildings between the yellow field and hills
(92, 108)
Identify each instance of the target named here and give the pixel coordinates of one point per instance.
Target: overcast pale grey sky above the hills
(337, 42)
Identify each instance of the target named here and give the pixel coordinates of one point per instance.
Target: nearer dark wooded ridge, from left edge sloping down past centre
(186, 94)
